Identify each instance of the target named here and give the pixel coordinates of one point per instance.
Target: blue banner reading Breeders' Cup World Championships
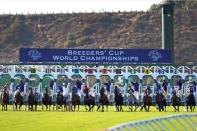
(133, 56)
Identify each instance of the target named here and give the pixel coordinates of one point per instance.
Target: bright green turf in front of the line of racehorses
(42, 120)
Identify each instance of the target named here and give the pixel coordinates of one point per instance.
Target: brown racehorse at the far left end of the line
(4, 99)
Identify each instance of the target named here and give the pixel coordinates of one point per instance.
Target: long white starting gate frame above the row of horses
(141, 71)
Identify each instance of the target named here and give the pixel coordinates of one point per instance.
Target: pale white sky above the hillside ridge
(64, 6)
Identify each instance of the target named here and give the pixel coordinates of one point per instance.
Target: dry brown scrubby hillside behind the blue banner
(94, 30)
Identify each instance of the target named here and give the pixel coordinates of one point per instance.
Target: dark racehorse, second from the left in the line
(18, 100)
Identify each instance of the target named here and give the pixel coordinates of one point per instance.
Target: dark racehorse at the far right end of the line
(191, 102)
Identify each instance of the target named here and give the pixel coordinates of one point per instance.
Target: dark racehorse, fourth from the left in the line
(46, 100)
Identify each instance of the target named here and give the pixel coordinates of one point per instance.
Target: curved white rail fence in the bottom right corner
(161, 123)
